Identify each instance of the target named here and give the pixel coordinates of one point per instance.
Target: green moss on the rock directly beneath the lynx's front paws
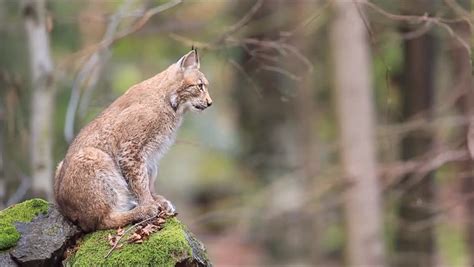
(164, 248)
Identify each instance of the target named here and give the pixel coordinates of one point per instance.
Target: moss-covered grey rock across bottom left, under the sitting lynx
(44, 240)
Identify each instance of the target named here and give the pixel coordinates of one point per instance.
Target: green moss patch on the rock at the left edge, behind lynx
(22, 212)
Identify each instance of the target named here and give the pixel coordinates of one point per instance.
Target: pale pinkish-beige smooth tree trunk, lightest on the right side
(352, 73)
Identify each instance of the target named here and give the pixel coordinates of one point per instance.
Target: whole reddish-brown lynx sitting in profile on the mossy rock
(106, 179)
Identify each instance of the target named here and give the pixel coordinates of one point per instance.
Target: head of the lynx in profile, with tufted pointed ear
(192, 94)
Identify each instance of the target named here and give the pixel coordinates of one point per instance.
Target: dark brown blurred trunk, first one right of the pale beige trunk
(415, 245)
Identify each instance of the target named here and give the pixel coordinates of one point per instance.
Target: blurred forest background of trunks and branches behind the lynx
(339, 134)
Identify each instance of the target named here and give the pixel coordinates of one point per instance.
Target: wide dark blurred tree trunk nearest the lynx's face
(268, 125)
